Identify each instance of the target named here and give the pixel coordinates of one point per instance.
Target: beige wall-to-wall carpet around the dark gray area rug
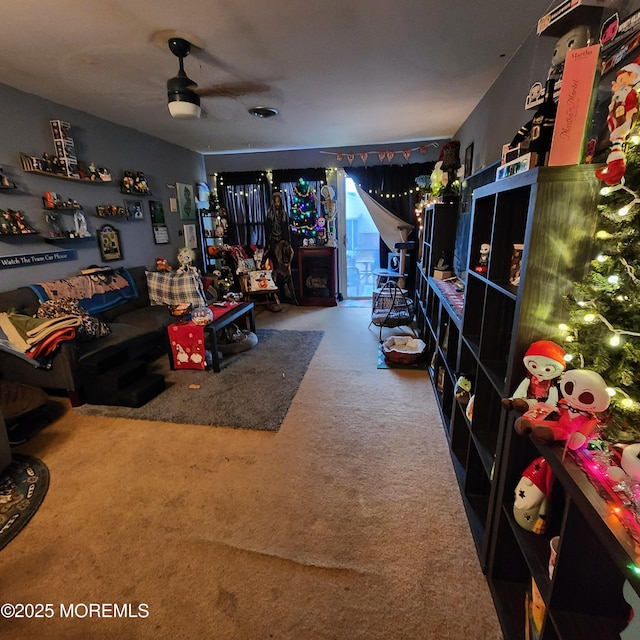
(345, 524)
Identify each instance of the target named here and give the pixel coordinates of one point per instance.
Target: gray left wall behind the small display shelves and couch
(25, 128)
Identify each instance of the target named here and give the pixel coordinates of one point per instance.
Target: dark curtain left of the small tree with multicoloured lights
(246, 196)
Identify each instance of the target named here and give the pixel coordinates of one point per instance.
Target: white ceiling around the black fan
(341, 72)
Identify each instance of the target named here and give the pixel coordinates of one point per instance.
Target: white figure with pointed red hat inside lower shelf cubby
(532, 495)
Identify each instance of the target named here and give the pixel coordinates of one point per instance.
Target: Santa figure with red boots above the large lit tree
(623, 109)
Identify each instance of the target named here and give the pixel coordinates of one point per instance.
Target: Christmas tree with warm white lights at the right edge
(603, 329)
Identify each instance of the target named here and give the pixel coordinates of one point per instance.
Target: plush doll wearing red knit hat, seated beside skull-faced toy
(544, 361)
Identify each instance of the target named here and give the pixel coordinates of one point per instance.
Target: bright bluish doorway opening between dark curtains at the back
(359, 252)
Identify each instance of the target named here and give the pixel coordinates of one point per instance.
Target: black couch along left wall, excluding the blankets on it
(136, 326)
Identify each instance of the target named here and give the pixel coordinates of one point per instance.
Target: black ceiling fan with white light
(184, 95)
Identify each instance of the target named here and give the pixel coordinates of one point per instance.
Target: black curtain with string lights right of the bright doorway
(398, 181)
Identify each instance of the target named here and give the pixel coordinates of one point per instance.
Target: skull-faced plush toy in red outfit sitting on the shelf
(584, 394)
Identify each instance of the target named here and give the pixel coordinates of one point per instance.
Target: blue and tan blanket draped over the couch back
(93, 293)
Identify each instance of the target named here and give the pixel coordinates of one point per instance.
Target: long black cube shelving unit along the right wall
(552, 212)
